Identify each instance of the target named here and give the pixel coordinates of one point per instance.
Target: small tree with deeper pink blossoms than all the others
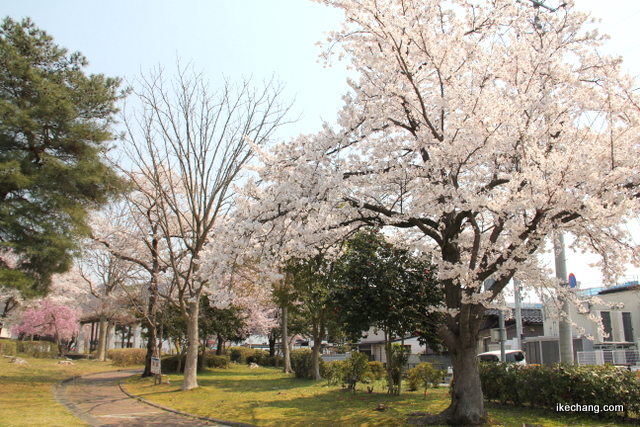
(49, 318)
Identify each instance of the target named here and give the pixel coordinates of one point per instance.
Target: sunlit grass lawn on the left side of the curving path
(26, 397)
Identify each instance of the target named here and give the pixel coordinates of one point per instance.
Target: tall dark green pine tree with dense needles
(55, 128)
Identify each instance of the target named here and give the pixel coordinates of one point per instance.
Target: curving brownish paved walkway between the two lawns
(98, 400)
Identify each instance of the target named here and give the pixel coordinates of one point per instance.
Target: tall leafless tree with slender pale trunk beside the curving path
(191, 144)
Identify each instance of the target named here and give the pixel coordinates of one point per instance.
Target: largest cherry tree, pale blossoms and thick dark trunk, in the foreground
(477, 130)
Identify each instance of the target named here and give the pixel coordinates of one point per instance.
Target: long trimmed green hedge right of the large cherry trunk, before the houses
(548, 386)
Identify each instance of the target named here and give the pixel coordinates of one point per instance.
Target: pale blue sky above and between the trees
(252, 38)
